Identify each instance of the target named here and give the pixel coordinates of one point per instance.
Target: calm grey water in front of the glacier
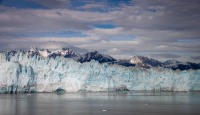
(122, 103)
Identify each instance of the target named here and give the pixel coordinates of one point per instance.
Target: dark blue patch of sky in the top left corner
(21, 4)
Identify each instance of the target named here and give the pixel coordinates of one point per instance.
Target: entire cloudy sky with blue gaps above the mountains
(161, 29)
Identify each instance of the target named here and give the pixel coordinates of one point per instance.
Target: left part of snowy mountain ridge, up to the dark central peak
(67, 53)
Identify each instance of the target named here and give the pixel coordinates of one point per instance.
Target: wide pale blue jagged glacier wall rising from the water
(24, 73)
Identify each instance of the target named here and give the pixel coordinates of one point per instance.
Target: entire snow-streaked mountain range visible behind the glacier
(140, 61)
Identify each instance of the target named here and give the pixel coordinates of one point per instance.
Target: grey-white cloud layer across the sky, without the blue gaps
(163, 26)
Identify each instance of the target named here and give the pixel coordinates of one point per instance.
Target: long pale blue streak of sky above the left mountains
(54, 34)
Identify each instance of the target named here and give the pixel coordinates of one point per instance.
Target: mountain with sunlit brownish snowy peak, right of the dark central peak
(145, 62)
